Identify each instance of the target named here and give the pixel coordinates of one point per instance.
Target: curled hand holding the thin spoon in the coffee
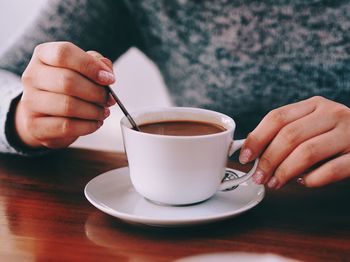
(63, 95)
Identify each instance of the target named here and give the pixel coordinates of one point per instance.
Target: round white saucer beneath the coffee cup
(113, 193)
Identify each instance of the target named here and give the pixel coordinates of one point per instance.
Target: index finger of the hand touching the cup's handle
(271, 124)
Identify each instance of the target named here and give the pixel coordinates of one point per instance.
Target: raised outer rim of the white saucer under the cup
(166, 222)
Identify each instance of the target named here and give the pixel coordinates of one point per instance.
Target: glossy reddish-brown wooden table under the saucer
(44, 216)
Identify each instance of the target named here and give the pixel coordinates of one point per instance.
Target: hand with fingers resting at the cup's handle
(308, 140)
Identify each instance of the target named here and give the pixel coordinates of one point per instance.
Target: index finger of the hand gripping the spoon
(70, 56)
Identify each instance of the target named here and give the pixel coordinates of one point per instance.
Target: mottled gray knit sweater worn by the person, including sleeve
(239, 57)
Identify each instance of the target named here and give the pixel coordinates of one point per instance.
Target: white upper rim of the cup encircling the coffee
(135, 114)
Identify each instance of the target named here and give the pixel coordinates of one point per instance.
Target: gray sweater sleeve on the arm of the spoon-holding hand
(105, 26)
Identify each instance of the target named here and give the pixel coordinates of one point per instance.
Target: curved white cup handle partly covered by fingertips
(237, 144)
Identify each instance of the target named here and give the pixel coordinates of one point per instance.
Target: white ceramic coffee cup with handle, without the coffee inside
(180, 170)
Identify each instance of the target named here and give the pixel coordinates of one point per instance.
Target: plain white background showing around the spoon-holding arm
(139, 83)
